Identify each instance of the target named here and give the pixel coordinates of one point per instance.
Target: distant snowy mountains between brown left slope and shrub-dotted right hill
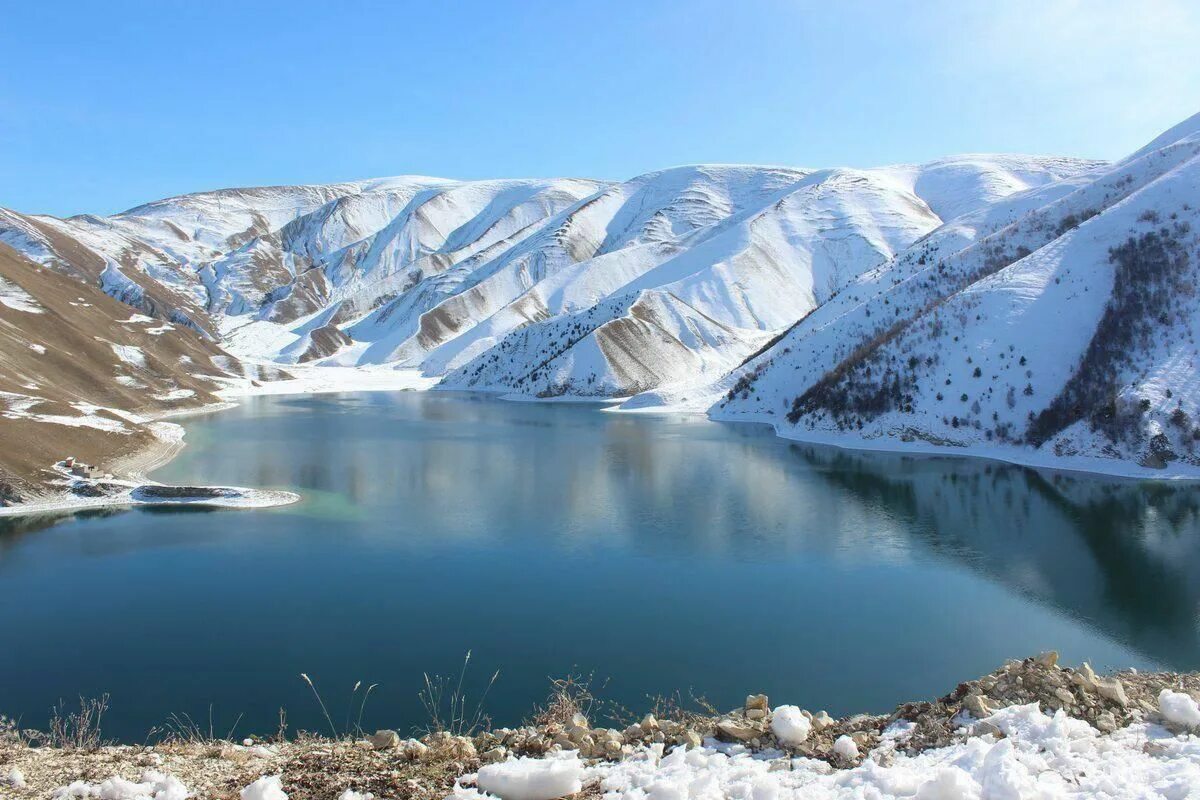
(543, 287)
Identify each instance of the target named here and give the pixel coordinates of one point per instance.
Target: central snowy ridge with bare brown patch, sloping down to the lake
(674, 309)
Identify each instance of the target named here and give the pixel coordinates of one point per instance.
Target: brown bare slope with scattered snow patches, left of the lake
(67, 347)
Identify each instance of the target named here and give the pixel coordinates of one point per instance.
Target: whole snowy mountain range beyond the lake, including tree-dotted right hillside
(1031, 309)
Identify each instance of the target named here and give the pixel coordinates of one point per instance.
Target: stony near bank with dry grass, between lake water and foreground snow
(440, 763)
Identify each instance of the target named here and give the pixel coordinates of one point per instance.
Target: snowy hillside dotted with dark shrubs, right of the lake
(1058, 326)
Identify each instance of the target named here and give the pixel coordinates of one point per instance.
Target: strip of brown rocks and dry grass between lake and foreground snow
(388, 765)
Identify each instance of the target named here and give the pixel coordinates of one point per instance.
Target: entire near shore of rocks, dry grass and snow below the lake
(1027, 714)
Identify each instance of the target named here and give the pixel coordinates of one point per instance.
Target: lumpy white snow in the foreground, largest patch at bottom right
(1039, 756)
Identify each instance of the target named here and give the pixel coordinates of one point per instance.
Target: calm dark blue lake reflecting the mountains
(658, 554)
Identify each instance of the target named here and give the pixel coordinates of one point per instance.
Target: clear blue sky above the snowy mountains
(107, 105)
